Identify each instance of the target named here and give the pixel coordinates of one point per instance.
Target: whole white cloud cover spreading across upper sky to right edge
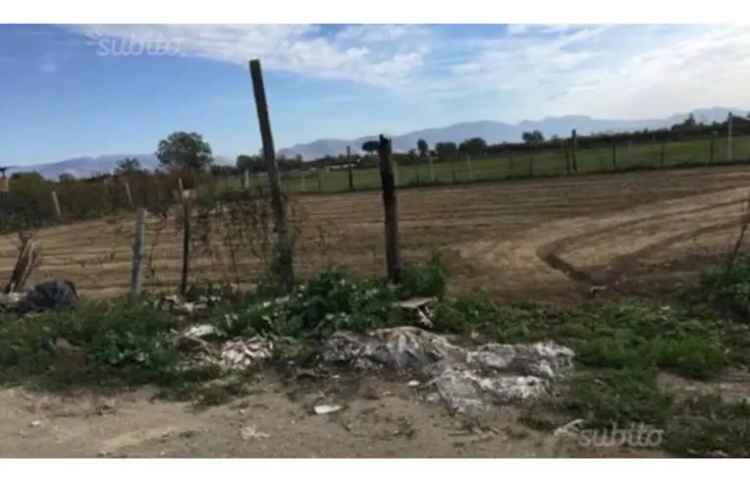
(527, 70)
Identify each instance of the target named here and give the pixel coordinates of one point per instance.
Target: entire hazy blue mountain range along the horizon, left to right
(492, 132)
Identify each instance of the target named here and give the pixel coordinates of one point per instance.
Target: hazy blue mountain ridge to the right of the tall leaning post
(497, 132)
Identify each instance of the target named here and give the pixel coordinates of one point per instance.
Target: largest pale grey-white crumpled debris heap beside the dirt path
(467, 381)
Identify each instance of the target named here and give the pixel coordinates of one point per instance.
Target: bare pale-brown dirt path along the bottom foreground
(379, 419)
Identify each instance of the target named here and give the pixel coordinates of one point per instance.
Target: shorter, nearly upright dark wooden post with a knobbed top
(390, 204)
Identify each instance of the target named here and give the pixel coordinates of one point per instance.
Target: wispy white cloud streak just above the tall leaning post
(301, 49)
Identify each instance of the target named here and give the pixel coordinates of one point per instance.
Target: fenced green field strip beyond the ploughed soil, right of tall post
(532, 162)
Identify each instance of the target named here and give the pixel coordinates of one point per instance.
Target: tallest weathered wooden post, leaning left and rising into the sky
(283, 263)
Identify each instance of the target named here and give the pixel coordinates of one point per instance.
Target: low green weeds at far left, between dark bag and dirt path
(96, 341)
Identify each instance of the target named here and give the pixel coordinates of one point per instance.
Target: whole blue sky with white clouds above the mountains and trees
(88, 90)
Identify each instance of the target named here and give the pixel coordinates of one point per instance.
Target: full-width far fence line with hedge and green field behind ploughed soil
(32, 202)
